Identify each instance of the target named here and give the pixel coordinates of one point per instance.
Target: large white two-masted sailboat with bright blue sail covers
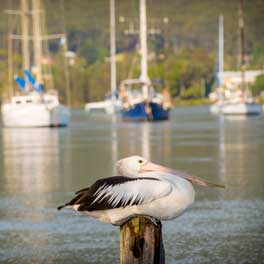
(32, 107)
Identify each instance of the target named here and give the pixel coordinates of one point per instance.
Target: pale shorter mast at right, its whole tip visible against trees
(220, 50)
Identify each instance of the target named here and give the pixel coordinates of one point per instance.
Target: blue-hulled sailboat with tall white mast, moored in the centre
(143, 104)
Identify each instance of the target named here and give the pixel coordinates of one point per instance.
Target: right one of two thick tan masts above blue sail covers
(37, 43)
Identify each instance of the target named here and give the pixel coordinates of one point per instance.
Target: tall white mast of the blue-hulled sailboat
(143, 45)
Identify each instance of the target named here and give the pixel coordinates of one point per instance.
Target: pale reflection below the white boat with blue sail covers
(29, 156)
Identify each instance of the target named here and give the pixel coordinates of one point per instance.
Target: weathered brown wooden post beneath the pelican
(141, 242)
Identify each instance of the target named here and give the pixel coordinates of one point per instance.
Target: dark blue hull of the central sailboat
(146, 112)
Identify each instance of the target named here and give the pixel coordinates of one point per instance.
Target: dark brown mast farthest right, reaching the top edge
(242, 43)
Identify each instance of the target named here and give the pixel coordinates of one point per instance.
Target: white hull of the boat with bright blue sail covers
(35, 115)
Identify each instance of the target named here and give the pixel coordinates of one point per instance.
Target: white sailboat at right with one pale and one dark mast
(235, 99)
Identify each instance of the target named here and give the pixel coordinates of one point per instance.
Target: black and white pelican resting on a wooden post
(142, 188)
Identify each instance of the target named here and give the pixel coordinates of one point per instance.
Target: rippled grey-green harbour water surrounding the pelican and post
(41, 168)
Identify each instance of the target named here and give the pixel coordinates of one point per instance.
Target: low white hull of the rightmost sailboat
(237, 109)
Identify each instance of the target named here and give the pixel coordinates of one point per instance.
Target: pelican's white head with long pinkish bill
(135, 165)
